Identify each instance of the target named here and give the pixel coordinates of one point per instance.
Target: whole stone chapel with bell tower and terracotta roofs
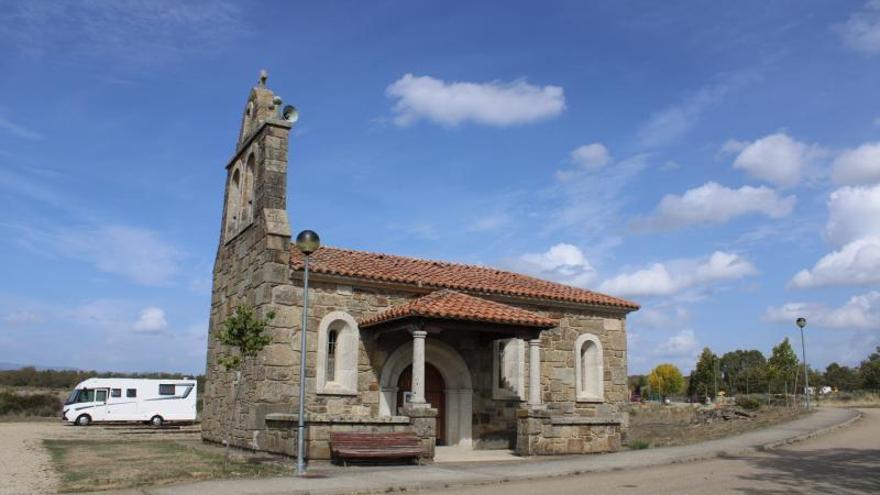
(462, 355)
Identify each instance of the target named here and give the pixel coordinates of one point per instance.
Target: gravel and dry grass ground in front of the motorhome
(41, 457)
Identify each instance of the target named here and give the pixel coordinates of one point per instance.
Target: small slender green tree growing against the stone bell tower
(243, 332)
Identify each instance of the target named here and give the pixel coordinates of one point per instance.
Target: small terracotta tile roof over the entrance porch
(449, 304)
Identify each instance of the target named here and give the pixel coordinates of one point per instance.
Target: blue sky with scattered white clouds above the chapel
(719, 165)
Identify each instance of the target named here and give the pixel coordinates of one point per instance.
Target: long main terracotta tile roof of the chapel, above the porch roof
(445, 275)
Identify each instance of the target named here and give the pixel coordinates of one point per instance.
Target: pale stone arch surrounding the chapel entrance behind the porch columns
(458, 393)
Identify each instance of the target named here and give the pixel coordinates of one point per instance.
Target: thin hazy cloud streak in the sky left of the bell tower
(138, 254)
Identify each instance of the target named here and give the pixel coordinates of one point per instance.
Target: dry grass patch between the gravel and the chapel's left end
(92, 465)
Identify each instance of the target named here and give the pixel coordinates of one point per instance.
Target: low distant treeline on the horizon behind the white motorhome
(67, 379)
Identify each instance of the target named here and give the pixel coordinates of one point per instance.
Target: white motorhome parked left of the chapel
(131, 399)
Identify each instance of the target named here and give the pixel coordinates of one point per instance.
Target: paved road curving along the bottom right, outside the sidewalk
(843, 462)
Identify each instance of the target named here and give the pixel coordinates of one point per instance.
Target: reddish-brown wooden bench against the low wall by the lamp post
(395, 445)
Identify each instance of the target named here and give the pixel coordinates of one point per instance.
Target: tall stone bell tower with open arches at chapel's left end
(252, 266)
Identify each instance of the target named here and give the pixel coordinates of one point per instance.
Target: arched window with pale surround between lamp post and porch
(338, 350)
